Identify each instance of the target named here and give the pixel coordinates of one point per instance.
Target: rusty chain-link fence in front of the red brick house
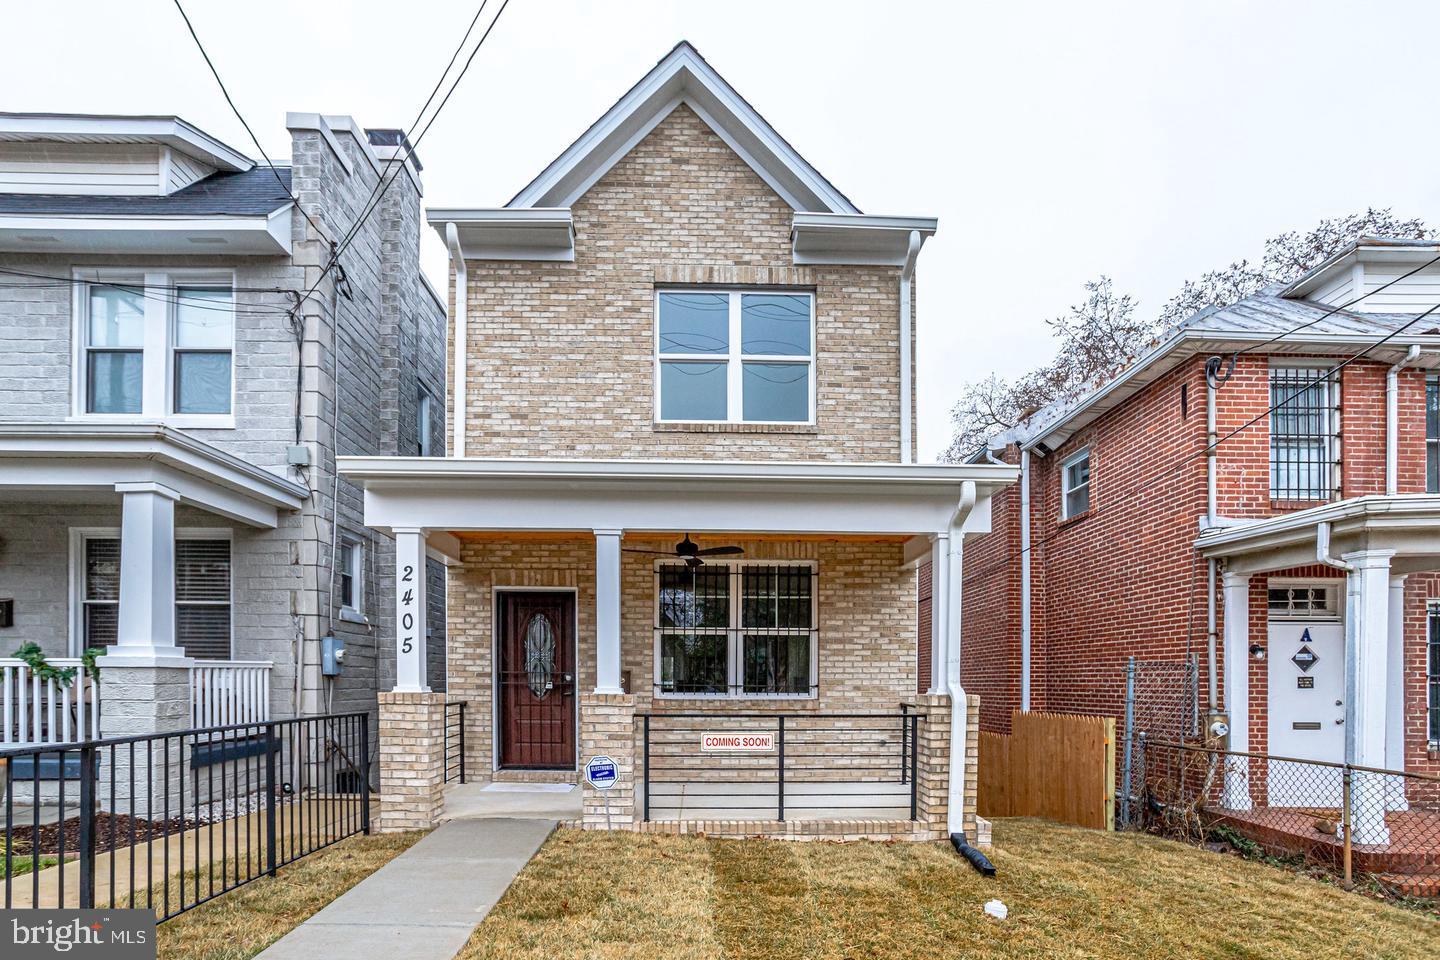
(1369, 827)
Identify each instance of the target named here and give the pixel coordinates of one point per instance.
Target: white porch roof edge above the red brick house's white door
(1409, 525)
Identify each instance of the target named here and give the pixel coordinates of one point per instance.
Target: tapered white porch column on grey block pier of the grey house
(148, 576)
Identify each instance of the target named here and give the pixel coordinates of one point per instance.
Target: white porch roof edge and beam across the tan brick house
(660, 497)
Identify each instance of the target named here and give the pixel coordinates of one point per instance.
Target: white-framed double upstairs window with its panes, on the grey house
(156, 346)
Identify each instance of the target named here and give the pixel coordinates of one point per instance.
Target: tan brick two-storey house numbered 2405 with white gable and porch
(682, 503)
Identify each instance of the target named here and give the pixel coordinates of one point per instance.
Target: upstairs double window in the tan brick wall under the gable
(735, 356)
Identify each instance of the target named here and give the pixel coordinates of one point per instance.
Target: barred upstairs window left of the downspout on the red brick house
(1302, 435)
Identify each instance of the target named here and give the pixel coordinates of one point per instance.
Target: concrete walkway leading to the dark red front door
(426, 903)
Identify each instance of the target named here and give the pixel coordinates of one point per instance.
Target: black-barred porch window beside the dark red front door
(739, 630)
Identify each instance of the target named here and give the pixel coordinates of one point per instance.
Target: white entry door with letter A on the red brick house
(1307, 671)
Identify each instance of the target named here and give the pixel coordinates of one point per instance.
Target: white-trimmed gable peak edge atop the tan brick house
(683, 77)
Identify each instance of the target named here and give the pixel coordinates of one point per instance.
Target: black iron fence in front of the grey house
(171, 821)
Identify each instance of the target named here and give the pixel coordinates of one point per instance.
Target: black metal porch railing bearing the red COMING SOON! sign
(755, 766)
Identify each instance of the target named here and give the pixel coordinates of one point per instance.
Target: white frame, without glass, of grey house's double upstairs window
(158, 350)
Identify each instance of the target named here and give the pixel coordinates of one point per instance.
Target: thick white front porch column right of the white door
(1367, 644)
